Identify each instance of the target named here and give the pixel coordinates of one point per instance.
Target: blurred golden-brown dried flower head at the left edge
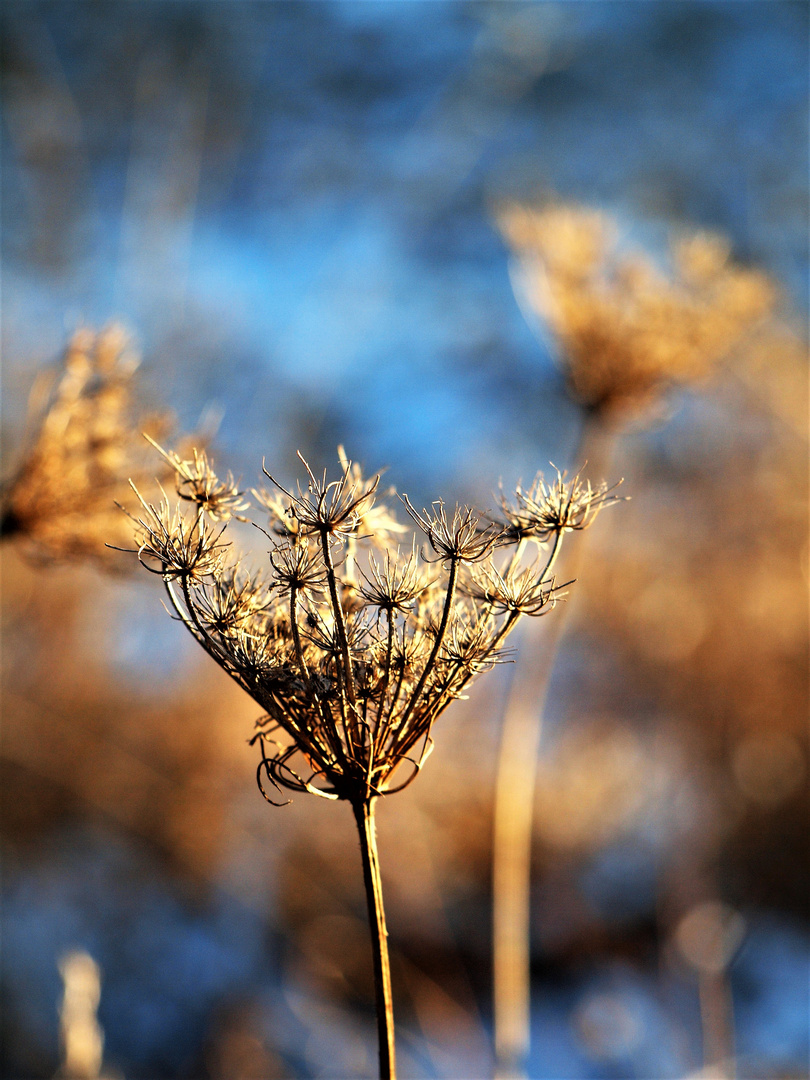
(87, 442)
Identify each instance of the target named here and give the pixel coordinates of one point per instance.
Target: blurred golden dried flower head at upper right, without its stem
(626, 329)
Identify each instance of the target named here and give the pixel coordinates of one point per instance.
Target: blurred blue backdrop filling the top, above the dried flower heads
(296, 200)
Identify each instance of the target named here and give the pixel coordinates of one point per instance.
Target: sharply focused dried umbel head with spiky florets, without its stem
(354, 659)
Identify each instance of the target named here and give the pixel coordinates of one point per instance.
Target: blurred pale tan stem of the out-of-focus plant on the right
(515, 800)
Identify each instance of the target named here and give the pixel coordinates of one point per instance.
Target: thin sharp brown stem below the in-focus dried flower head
(368, 831)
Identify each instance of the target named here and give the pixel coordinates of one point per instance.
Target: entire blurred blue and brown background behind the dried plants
(292, 207)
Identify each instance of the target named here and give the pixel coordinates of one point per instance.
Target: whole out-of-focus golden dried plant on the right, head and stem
(625, 331)
